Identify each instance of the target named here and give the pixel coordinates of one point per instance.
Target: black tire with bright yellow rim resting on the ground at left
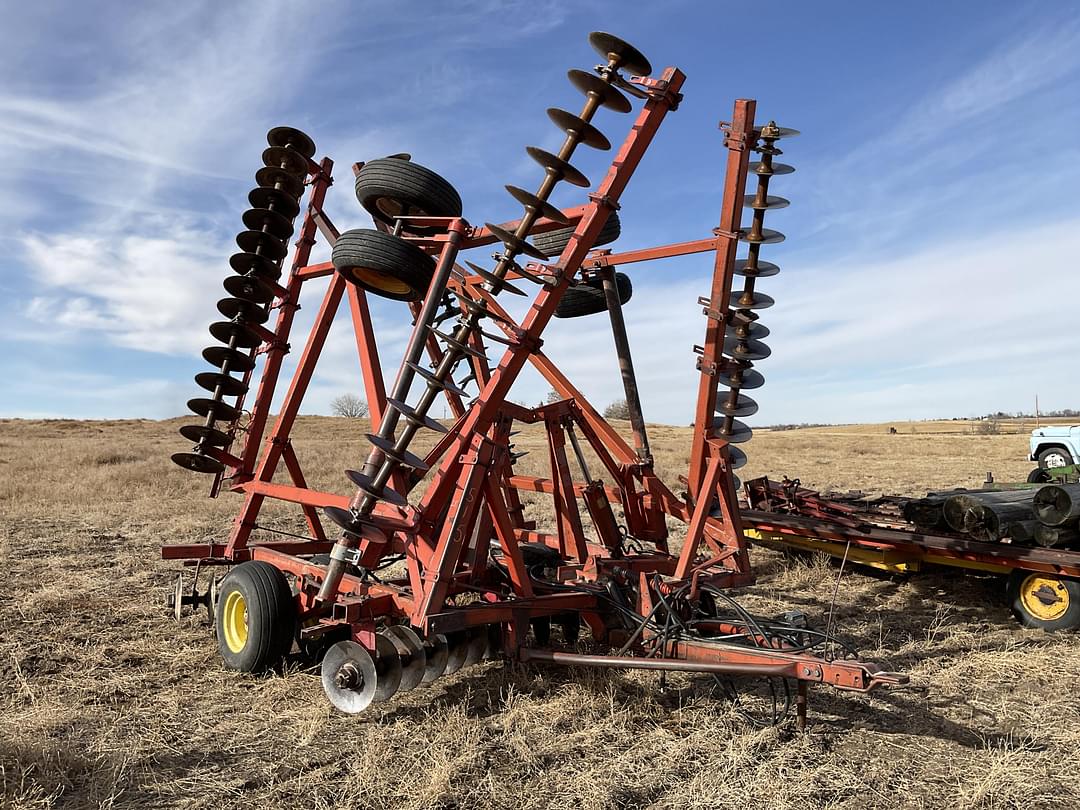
(256, 598)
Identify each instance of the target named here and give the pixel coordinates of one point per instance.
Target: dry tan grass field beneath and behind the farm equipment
(106, 703)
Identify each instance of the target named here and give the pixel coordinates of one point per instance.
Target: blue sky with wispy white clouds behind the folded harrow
(931, 263)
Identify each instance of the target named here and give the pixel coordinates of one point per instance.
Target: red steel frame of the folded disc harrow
(474, 493)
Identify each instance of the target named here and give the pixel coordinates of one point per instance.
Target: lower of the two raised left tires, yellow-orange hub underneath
(384, 265)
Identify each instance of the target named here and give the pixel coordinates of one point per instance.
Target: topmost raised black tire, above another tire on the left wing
(390, 187)
